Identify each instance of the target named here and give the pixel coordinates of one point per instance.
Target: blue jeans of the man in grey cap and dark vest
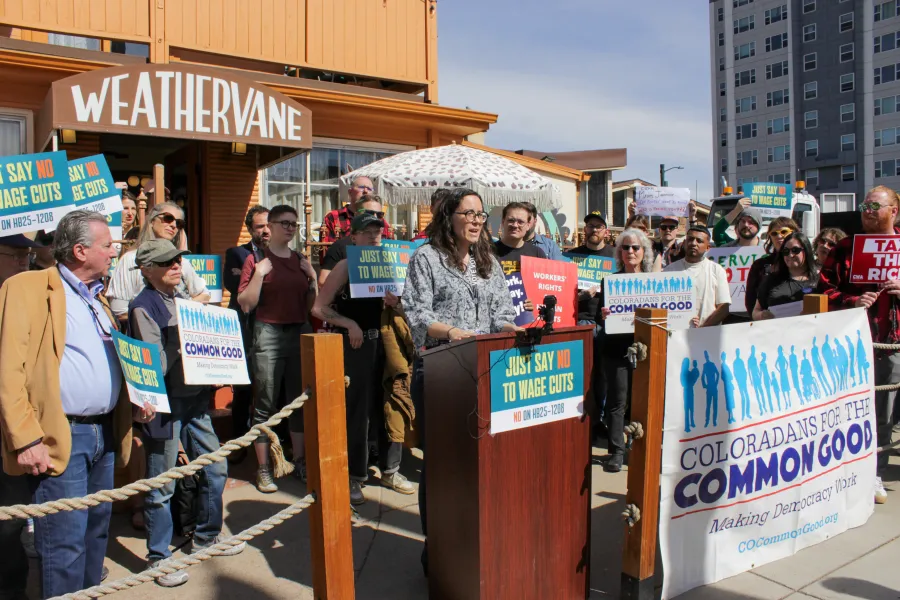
(193, 427)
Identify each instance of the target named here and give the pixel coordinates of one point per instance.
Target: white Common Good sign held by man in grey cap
(212, 348)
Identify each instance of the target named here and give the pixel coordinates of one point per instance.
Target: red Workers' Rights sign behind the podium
(542, 277)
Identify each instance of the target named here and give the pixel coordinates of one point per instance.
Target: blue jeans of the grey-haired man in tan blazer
(72, 545)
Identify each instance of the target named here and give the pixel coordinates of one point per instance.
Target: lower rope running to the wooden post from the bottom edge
(173, 565)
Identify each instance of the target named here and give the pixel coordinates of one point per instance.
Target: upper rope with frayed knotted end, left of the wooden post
(23, 511)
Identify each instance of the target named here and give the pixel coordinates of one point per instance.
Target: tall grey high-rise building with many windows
(807, 89)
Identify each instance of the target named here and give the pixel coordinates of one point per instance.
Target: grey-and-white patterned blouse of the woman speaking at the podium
(437, 292)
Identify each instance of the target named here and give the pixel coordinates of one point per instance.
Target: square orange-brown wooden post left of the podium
(325, 425)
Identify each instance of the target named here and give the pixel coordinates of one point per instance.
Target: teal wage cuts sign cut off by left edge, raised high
(35, 192)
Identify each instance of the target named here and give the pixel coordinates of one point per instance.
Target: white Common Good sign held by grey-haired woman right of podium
(625, 293)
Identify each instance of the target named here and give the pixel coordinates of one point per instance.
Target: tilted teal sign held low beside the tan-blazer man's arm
(142, 372)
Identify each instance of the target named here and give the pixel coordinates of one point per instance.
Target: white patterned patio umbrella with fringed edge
(412, 177)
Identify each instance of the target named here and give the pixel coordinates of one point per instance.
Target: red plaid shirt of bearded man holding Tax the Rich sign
(834, 282)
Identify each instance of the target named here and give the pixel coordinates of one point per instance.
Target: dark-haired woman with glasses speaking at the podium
(455, 289)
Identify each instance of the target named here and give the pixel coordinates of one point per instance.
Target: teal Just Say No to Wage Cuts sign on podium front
(533, 388)
